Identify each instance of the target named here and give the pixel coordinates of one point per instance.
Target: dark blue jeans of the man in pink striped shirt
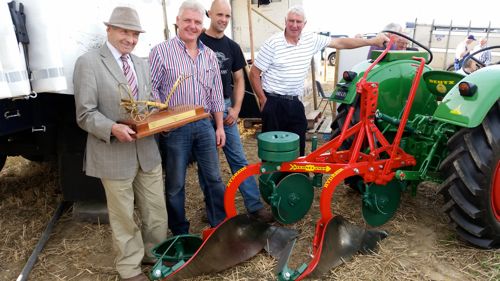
(197, 138)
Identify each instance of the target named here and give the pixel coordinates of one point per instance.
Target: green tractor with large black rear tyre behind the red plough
(453, 131)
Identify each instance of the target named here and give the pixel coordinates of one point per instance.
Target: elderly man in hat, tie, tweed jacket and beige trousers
(129, 168)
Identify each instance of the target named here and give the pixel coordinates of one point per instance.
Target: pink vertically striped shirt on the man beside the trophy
(170, 59)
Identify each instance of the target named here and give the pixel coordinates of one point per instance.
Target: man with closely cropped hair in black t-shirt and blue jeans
(231, 64)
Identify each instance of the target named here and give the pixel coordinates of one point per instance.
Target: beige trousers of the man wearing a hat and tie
(132, 243)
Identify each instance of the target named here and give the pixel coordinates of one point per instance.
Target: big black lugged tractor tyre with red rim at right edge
(472, 187)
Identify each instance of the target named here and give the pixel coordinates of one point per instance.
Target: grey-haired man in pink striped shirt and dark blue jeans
(186, 56)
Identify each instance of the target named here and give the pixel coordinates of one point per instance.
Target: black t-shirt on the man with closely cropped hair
(230, 59)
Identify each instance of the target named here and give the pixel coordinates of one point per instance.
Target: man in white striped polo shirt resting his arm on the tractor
(278, 73)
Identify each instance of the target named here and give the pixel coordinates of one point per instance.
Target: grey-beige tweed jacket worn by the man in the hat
(96, 82)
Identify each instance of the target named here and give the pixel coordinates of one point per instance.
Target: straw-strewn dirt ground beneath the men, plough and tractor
(421, 244)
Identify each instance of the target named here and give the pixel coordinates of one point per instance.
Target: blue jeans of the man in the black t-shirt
(236, 159)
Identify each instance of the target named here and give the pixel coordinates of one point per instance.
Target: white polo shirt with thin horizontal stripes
(285, 66)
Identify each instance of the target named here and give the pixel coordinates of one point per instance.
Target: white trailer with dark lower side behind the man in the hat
(37, 109)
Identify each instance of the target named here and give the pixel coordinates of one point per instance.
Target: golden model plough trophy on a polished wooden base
(150, 117)
